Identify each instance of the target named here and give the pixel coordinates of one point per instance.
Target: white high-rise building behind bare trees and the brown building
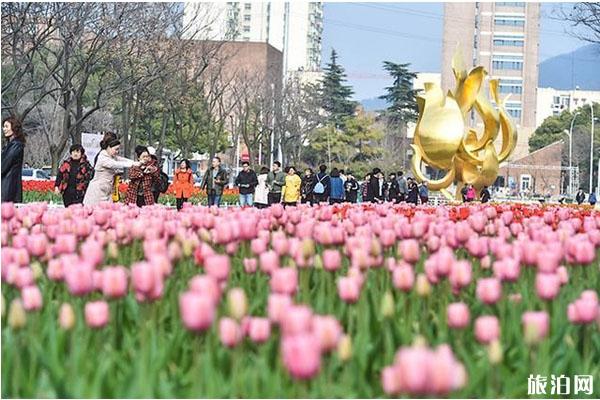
(295, 28)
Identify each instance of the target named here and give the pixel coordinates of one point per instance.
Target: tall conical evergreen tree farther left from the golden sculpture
(335, 96)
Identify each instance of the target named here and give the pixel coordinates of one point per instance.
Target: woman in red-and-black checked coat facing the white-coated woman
(141, 179)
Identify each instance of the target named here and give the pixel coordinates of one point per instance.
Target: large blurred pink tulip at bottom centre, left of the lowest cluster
(301, 355)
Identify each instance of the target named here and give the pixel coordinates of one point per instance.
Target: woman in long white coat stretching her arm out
(107, 166)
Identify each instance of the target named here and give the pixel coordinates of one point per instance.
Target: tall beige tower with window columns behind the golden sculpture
(503, 37)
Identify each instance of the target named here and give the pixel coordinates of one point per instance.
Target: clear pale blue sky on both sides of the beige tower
(366, 34)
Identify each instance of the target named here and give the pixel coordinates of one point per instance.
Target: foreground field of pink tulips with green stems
(363, 301)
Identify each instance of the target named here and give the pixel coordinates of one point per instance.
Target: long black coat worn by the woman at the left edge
(12, 165)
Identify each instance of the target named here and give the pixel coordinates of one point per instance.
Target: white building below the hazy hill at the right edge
(551, 102)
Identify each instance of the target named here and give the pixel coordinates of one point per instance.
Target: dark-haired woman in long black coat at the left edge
(12, 161)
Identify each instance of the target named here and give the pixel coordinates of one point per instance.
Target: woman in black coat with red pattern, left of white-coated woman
(74, 176)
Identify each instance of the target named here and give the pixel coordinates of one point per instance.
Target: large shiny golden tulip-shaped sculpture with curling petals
(444, 140)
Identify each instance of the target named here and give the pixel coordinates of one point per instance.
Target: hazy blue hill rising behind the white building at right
(580, 67)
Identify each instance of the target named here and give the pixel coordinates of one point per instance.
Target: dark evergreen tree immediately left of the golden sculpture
(401, 95)
